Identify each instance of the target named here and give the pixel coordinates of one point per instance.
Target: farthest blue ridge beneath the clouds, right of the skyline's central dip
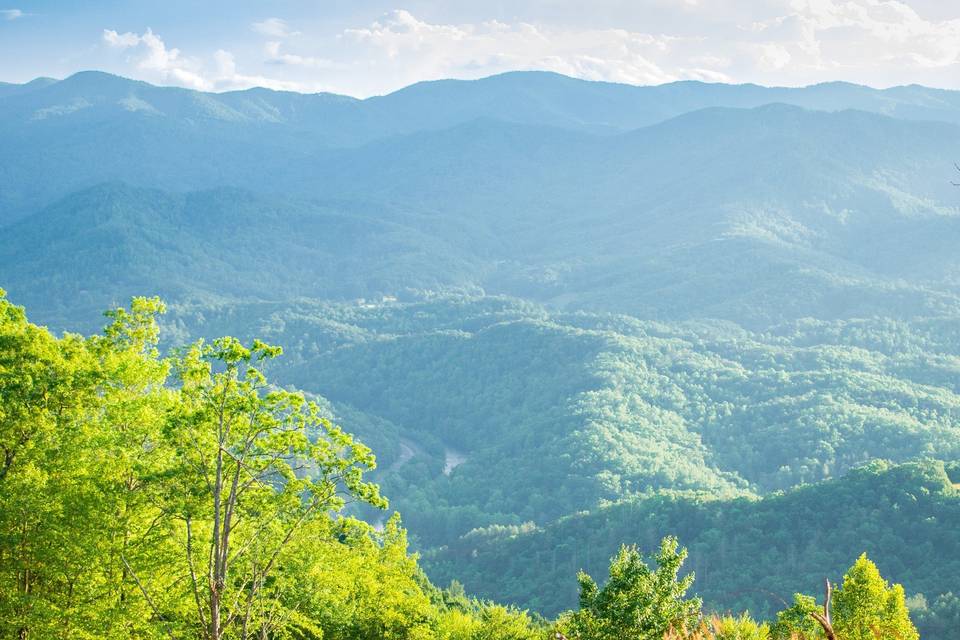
(556, 100)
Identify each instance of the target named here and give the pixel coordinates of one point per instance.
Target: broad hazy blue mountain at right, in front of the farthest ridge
(703, 215)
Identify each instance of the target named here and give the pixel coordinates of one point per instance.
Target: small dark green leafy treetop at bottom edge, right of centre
(636, 601)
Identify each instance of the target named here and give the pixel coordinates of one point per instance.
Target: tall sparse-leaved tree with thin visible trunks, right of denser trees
(255, 465)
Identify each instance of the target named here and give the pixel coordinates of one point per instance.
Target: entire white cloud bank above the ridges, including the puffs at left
(783, 42)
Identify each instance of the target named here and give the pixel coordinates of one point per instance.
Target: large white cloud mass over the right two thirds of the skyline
(881, 42)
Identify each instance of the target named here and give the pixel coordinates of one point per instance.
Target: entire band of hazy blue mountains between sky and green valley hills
(685, 200)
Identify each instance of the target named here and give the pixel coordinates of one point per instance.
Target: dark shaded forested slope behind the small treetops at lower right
(747, 554)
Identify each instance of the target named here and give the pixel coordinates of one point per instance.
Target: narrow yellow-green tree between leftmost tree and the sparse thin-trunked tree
(122, 457)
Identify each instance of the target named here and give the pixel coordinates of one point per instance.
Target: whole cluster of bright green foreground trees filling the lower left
(134, 505)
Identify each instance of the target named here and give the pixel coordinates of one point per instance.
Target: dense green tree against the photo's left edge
(47, 386)
